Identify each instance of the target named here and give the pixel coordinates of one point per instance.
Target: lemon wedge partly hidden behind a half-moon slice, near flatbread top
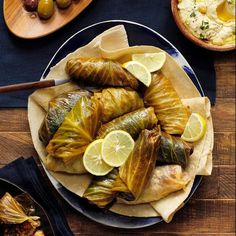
(152, 61)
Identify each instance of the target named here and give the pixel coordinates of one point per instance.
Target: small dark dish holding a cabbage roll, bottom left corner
(20, 214)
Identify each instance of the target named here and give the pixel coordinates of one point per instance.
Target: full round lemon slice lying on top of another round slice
(116, 147)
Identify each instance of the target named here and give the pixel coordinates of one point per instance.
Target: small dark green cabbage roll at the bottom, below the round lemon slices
(100, 190)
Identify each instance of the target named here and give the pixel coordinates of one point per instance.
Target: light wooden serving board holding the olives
(29, 26)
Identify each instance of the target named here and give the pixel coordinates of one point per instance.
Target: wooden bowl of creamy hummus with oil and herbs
(207, 23)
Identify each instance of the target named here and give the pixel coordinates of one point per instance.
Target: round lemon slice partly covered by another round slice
(93, 161)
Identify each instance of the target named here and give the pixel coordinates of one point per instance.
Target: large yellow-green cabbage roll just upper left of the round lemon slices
(77, 130)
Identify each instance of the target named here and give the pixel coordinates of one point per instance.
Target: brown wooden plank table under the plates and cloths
(211, 210)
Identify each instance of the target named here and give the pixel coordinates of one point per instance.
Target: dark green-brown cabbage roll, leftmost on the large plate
(58, 108)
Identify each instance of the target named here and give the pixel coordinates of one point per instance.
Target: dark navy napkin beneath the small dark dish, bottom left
(26, 175)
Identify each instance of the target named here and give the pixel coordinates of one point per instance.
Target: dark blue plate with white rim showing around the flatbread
(138, 35)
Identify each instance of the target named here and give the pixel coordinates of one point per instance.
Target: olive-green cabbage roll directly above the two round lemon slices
(133, 122)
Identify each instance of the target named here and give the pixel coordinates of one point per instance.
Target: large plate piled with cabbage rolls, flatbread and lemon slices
(128, 137)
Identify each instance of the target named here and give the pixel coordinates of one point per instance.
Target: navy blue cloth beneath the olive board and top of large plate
(25, 60)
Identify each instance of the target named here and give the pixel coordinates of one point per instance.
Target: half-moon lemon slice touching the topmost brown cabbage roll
(139, 71)
